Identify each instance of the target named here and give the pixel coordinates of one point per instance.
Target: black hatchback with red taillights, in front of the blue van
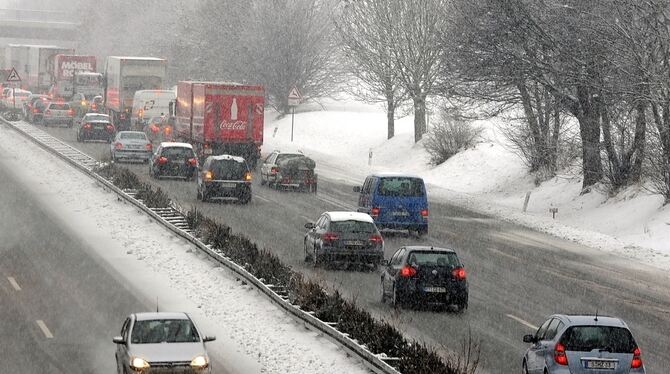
(425, 275)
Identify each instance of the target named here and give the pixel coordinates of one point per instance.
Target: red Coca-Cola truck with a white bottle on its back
(220, 118)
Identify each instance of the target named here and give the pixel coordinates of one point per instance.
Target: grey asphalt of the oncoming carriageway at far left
(60, 305)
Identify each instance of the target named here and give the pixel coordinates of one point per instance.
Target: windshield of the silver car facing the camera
(164, 331)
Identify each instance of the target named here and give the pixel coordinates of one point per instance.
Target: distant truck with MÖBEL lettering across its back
(76, 74)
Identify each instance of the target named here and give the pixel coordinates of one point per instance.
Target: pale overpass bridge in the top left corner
(27, 26)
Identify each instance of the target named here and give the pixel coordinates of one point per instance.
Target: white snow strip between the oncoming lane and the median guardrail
(253, 335)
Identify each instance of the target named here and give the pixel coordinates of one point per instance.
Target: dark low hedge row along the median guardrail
(378, 336)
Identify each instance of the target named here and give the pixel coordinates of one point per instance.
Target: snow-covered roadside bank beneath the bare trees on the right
(489, 178)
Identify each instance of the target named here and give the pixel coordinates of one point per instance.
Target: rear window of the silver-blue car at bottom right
(588, 338)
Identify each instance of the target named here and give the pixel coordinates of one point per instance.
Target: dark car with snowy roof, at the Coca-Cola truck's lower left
(174, 160)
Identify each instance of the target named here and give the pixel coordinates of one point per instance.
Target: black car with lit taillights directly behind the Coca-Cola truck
(225, 177)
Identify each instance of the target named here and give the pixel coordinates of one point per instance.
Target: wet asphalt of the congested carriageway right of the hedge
(517, 277)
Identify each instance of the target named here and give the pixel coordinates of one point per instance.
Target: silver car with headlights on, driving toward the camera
(161, 343)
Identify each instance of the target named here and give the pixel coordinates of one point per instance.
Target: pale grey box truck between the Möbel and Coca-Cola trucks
(126, 75)
